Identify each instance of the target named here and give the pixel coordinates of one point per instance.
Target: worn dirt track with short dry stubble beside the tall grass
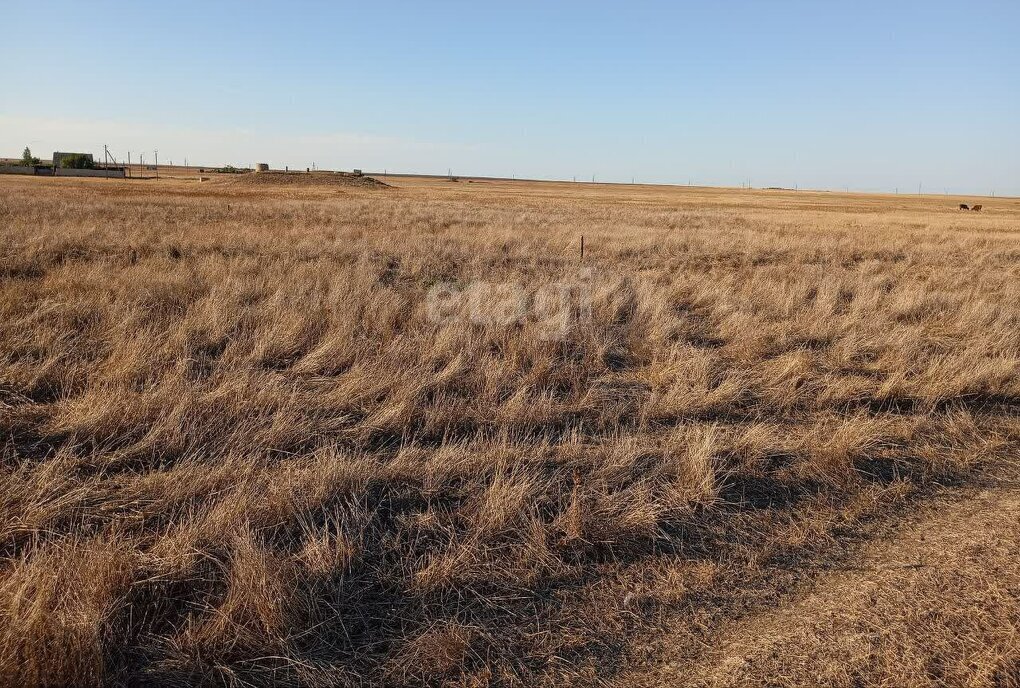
(939, 605)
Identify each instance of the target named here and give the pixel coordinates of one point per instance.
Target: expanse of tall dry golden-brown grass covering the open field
(236, 451)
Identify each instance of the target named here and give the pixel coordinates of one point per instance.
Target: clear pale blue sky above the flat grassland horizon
(861, 95)
